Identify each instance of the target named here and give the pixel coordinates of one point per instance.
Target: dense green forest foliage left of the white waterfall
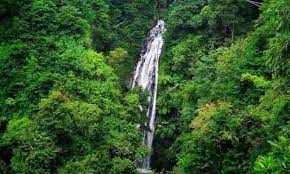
(63, 109)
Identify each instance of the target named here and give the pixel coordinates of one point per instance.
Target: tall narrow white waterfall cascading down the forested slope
(146, 76)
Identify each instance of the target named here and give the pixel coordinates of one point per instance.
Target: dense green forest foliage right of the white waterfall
(224, 102)
